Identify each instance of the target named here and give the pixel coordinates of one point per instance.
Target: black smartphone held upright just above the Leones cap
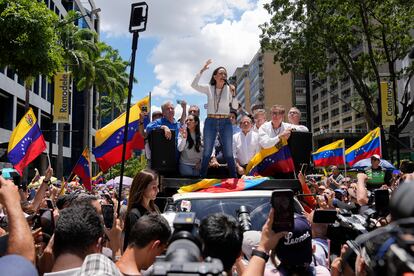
(282, 202)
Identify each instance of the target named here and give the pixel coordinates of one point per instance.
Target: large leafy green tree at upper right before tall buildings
(361, 39)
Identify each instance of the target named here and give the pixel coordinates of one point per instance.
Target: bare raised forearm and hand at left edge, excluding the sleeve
(20, 237)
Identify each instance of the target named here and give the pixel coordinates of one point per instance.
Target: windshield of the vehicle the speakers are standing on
(258, 207)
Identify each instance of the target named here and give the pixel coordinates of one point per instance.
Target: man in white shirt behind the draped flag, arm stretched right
(271, 132)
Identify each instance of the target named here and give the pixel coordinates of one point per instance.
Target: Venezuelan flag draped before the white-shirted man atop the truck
(273, 160)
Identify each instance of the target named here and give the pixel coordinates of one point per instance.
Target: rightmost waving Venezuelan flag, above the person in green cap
(364, 148)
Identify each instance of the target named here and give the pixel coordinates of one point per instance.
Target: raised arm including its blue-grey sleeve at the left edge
(20, 247)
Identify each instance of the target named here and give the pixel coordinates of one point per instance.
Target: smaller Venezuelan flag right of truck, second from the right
(331, 154)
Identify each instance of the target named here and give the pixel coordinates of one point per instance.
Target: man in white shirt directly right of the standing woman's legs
(245, 145)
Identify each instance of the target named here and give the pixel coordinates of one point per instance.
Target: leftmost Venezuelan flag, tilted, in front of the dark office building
(26, 142)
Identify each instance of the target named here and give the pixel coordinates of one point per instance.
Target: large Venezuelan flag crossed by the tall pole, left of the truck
(109, 139)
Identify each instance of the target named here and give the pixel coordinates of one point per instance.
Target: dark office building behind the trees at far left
(12, 100)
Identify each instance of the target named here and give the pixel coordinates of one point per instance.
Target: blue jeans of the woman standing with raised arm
(224, 128)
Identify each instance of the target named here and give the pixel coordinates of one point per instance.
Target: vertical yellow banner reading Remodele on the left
(62, 98)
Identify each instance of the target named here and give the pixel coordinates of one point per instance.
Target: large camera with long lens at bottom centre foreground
(183, 256)
